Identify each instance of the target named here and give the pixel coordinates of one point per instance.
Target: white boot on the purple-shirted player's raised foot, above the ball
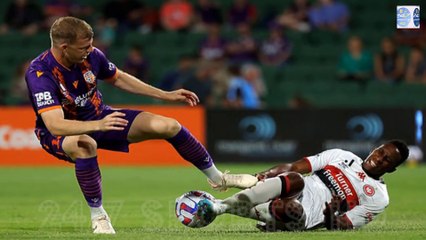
(241, 181)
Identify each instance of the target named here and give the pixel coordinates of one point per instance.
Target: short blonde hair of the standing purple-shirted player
(69, 29)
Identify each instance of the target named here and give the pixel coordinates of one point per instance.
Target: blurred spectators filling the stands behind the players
(227, 72)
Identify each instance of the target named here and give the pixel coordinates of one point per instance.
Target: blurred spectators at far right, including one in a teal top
(388, 64)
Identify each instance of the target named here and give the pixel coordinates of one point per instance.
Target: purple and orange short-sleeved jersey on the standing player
(52, 85)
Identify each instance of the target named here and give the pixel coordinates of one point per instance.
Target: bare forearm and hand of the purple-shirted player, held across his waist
(59, 126)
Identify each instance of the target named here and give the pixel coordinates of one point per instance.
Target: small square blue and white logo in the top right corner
(408, 17)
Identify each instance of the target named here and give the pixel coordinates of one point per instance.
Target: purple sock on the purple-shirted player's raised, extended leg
(191, 149)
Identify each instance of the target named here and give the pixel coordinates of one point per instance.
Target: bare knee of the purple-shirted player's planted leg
(81, 146)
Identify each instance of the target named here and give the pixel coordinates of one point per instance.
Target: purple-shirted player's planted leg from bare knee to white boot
(83, 150)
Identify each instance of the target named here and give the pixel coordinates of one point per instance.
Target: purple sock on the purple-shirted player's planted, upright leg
(89, 178)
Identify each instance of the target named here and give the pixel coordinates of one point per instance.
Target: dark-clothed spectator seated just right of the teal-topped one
(389, 64)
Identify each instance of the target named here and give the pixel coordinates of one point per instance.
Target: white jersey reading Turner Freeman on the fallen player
(341, 172)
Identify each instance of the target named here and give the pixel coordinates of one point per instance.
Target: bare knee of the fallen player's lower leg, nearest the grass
(286, 210)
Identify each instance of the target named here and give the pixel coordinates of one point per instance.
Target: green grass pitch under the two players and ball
(45, 203)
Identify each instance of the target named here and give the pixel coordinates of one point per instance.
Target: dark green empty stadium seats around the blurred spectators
(311, 72)
